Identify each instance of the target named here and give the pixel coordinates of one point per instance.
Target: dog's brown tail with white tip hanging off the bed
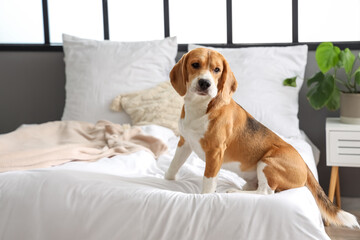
(329, 211)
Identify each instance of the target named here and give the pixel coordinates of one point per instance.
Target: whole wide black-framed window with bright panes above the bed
(39, 24)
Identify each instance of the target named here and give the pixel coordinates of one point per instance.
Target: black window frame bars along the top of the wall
(47, 46)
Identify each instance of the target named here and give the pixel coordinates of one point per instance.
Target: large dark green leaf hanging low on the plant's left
(321, 91)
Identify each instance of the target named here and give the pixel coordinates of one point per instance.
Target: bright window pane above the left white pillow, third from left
(133, 21)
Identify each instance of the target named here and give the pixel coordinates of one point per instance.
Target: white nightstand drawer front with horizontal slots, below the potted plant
(344, 148)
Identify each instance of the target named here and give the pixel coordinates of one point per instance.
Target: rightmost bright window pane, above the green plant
(329, 20)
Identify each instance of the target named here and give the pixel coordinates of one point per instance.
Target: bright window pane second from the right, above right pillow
(262, 21)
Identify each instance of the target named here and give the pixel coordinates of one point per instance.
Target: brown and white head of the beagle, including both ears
(203, 72)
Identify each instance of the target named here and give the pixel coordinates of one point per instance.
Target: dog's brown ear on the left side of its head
(179, 77)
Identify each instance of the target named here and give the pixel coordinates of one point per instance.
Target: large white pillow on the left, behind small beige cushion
(98, 71)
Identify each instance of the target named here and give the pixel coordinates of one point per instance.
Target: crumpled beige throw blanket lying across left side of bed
(55, 143)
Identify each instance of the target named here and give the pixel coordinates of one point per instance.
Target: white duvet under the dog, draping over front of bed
(126, 197)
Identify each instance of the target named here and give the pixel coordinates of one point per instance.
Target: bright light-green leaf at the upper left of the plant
(327, 56)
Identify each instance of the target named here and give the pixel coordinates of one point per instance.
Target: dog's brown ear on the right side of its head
(227, 84)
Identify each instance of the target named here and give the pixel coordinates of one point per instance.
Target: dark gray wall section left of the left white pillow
(31, 88)
